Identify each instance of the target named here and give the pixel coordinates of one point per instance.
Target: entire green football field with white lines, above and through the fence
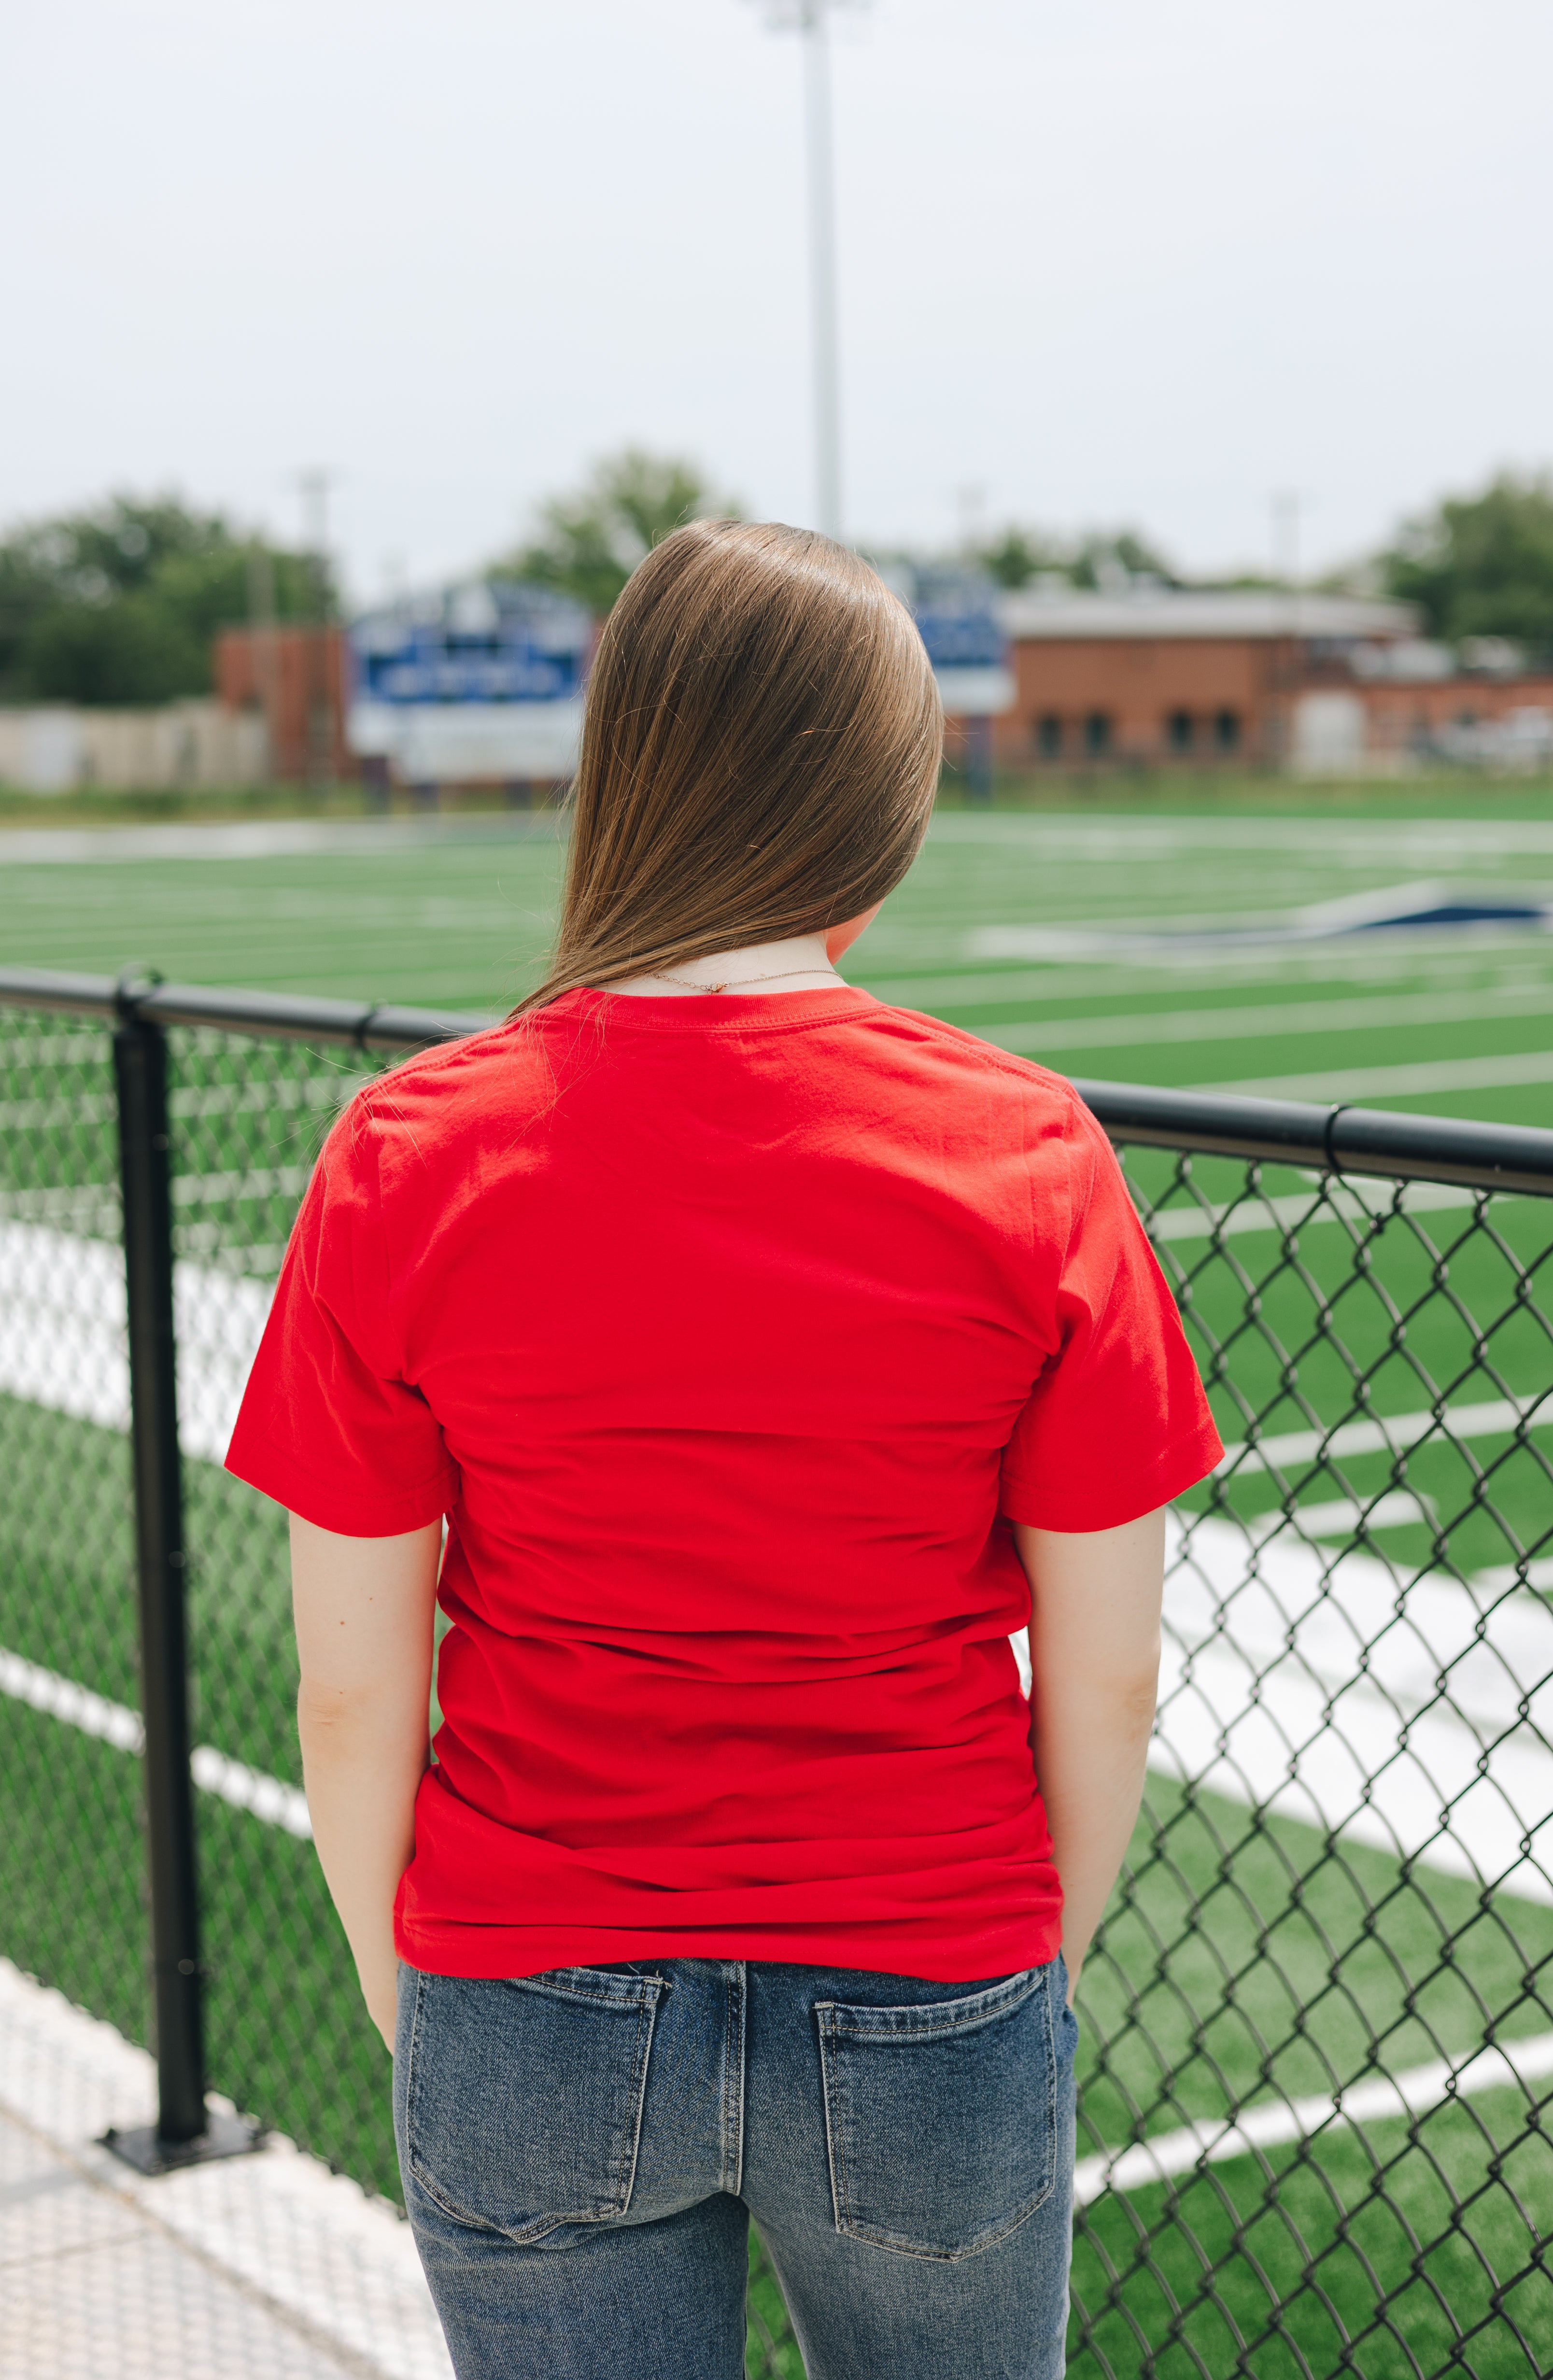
(1368, 958)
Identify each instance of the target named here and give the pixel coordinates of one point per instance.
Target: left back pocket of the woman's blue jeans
(520, 2103)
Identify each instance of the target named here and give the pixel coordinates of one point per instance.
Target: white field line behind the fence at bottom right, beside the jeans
(1380, 2100)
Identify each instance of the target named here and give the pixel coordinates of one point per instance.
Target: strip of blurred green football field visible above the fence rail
(1242, 951)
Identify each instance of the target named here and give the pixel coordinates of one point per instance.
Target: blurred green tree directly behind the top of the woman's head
(592, 541)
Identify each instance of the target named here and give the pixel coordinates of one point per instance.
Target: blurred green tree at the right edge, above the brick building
(1483, 565)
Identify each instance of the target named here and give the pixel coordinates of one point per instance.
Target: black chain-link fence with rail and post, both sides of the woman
(1318, 2027)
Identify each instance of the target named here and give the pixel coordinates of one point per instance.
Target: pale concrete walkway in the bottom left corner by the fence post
(256, 2269)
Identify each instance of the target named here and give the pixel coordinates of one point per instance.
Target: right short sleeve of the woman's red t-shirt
(1118, 1422)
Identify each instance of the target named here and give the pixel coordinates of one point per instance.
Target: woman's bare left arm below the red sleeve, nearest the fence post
(363, 1617)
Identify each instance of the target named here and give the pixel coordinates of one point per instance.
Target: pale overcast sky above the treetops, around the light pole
(1133, 261)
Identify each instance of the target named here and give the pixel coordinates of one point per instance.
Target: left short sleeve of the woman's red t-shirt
(330, 1427)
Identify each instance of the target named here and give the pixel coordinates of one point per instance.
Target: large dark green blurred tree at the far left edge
(123, 603)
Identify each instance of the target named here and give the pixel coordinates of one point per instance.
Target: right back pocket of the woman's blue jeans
(942, 2119)
